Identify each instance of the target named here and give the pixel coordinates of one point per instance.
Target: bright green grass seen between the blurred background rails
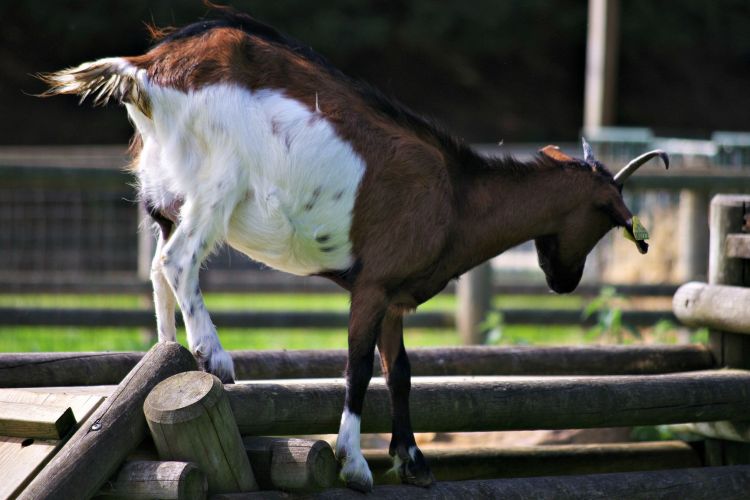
(25, 339)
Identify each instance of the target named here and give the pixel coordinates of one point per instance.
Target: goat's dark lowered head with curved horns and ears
(562, 254)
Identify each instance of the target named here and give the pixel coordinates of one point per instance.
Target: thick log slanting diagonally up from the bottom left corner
(103, 441)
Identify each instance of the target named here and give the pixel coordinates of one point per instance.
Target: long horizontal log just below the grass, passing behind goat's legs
(91, 368)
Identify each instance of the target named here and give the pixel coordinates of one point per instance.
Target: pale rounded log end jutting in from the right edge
(714, 306)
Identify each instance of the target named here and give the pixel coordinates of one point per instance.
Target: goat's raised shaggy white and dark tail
(105, 79)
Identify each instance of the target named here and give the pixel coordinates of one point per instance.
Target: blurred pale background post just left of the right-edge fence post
(693, 234)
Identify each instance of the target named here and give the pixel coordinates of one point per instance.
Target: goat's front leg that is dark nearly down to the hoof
(408, 460)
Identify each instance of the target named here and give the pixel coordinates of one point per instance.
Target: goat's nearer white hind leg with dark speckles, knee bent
(181, 259)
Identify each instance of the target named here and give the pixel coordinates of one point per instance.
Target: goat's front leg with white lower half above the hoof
(366, 314)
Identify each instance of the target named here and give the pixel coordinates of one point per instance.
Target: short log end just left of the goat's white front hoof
(291, 464)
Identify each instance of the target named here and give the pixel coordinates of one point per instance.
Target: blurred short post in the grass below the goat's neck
(474, 298)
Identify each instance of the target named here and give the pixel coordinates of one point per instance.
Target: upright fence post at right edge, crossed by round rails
(727, 216)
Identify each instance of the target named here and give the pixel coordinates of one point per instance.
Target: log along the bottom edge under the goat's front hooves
(726, 483)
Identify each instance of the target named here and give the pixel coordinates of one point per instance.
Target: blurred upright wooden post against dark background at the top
(601, 64)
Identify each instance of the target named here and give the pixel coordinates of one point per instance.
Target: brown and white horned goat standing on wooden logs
(249, 137)
